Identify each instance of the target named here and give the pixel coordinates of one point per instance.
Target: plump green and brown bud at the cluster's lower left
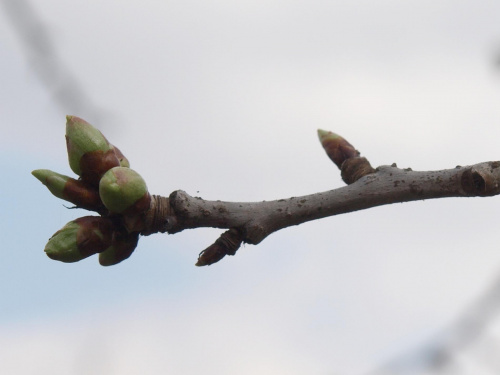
(80, 239)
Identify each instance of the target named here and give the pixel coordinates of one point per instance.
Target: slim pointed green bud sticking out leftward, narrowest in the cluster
(77, 192)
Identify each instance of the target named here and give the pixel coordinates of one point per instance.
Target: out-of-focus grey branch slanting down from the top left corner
(42, 57)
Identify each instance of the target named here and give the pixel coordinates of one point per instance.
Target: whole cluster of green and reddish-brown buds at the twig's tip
(106, 185)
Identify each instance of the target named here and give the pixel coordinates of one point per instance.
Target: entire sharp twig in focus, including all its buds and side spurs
(109, 187)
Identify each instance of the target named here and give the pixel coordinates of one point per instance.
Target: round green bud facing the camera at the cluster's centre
(124, 191)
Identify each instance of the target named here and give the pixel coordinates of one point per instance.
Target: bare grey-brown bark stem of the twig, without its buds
(254, 221)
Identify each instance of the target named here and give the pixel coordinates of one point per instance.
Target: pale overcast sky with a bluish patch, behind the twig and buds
(222, 99)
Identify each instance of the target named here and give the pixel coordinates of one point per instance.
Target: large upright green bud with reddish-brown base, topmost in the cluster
(90, 154)
